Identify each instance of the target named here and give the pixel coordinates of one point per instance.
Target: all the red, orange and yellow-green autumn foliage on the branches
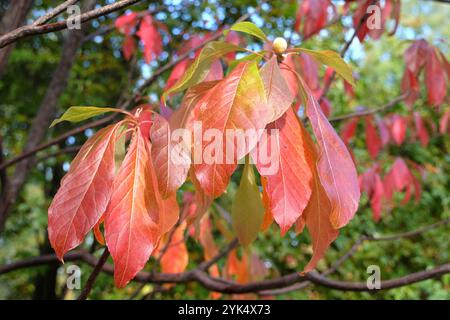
(124, 184)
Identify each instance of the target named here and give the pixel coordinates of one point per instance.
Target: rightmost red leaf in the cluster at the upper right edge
(435, 78)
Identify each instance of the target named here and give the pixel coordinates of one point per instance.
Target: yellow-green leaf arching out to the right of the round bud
(331, 59)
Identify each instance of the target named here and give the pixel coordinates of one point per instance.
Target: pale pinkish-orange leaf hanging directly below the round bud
(279, 98)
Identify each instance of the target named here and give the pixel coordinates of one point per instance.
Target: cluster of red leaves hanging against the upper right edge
(422, 55)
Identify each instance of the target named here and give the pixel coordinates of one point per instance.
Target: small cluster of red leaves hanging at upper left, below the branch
(143, 26)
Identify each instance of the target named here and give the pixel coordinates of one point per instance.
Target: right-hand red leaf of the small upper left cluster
(150, 37)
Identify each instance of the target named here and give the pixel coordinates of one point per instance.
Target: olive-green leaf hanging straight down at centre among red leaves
(247, 210)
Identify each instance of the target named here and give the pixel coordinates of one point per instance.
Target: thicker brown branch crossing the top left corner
(31, 30)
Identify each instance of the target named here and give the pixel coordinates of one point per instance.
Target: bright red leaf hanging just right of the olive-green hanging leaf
(289, 188)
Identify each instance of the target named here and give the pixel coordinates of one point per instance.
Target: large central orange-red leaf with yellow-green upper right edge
(237, 102)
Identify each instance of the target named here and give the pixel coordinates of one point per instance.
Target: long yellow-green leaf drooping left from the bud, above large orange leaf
(199, 69)
